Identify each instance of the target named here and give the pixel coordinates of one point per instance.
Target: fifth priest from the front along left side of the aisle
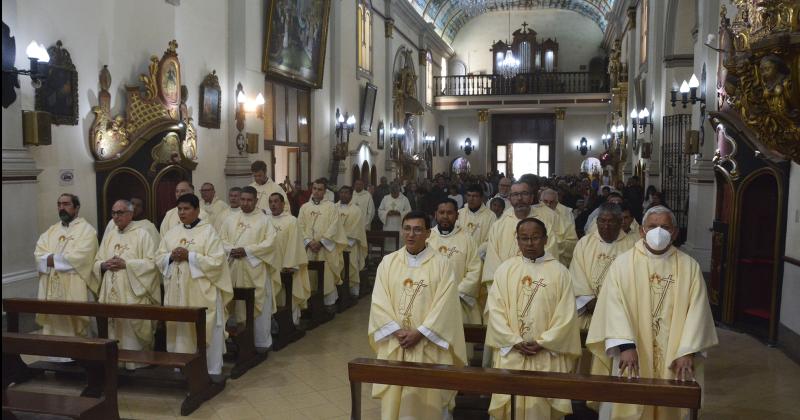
(350, 216)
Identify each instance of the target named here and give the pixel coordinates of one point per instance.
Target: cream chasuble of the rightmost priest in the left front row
(204, 280)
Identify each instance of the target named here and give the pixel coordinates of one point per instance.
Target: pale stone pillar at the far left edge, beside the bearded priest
(20, 192)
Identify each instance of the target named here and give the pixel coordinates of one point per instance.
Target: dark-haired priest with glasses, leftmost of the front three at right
(415, 317)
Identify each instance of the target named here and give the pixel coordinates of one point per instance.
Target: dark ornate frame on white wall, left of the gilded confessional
(58, 94)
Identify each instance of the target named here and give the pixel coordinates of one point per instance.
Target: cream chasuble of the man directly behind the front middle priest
(502, 242)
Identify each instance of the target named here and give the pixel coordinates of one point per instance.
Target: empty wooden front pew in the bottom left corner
(97, 356)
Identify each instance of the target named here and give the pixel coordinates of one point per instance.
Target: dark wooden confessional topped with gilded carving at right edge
(757, 134)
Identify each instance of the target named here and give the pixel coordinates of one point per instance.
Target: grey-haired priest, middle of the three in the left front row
(125, 267)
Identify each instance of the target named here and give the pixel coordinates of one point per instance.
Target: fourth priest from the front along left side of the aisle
(324, 238)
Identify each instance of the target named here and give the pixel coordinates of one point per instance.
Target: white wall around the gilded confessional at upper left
(123, 35)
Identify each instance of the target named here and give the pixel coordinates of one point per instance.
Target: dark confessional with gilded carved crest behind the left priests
(147, 150)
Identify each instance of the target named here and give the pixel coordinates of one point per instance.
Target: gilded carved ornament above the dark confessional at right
(762, 78)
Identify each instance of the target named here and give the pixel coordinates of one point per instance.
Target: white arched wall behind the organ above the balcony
(579, 38)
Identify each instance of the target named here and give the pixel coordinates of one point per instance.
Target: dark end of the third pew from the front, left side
(244, 350)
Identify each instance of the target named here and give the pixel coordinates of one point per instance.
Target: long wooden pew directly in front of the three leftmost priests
(193, 366)
